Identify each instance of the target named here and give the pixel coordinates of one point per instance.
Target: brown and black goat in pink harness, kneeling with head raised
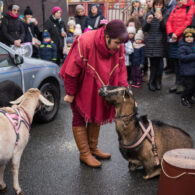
(166, 137)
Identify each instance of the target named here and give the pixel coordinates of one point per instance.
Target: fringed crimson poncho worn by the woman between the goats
(94, 65)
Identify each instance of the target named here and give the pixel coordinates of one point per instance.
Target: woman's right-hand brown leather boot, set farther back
(93, 134)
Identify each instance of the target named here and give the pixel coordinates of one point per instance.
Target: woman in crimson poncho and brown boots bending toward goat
(95, 59)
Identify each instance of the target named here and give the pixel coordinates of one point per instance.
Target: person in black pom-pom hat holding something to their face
(31, 29)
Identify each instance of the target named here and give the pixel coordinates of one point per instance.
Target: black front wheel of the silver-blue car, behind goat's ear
(51, 92)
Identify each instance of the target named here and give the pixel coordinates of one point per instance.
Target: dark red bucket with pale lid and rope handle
(178, 173)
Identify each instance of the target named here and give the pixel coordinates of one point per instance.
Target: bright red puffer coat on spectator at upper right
(179, 19)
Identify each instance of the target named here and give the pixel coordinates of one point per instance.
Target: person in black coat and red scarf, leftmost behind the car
(12, 29)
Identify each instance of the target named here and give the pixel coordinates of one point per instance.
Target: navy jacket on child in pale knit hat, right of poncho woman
(138, 55)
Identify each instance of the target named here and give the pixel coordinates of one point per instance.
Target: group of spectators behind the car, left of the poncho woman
(54, 42)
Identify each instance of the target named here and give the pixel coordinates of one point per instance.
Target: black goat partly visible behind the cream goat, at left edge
(9, 91)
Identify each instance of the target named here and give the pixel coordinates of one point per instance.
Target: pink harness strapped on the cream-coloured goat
(16, 120)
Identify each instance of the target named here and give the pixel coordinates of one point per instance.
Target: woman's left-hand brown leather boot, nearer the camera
(80, 136)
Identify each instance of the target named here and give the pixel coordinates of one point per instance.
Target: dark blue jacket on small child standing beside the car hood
(48, 51)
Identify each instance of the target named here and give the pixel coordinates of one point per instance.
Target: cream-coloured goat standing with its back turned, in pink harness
(12, 144)
